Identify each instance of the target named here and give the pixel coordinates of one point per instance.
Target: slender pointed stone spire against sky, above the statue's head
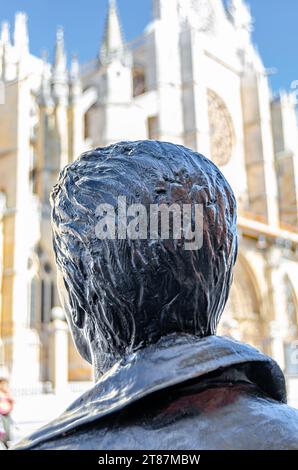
(113, 43)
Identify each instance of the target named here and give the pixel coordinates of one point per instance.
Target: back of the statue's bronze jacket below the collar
(250, 420)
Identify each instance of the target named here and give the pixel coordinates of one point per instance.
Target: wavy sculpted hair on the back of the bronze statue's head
(132, 292)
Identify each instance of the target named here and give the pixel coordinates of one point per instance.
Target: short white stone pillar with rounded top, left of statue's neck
(58, 356)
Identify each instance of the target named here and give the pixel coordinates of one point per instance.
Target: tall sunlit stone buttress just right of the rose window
(261, 174)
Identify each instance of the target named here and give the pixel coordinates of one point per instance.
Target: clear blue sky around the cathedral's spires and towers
(276, 32)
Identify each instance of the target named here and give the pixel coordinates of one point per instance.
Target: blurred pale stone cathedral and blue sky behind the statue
(185, 71)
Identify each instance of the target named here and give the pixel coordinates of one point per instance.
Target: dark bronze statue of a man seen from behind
(144, 312)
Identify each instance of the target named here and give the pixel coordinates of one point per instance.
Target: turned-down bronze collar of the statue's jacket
(173, 360)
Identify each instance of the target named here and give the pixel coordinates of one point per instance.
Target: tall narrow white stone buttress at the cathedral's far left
(22, 344)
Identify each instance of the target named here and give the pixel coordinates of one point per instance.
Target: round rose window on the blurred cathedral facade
(221, 130)
